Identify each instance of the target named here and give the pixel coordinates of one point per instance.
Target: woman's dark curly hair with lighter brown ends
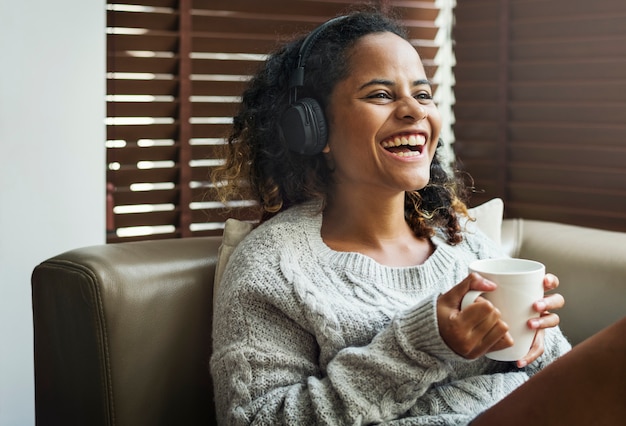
(258, 159)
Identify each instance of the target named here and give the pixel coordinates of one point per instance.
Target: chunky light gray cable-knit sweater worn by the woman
(304, 335)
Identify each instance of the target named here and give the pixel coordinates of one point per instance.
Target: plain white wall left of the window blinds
(52, 156)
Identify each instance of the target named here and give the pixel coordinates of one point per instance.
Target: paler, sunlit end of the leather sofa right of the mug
(590, 264)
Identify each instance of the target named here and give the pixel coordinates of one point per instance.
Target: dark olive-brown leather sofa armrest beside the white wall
(123, 332)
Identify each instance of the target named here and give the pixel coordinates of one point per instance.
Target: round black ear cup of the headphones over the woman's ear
(303, 127)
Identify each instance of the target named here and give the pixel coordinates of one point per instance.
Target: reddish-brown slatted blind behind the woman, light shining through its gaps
(175, 71)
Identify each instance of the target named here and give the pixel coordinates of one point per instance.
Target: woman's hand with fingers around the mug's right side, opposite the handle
(546, 319)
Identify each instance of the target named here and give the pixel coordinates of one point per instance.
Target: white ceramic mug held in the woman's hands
(520, 284)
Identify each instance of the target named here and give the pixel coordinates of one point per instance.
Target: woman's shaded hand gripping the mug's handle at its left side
(478, 328)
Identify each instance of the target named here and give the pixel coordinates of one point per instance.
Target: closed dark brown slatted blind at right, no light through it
(541, 107)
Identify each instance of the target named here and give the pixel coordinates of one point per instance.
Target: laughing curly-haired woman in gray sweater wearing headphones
(343, 305)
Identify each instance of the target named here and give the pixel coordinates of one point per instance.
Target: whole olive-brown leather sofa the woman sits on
(122, 331)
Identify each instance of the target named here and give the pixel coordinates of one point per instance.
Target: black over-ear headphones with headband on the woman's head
(303, 125)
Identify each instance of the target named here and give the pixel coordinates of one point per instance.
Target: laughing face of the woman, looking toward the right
(383, 123)
